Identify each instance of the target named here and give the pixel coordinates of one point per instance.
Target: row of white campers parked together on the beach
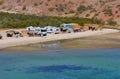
(43, 31)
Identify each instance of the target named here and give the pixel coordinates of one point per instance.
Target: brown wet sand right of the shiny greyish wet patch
(94, 42)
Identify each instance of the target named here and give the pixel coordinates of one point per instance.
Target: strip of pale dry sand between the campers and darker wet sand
(11, 42)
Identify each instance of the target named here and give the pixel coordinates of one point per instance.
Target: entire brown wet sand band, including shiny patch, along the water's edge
(106, 41)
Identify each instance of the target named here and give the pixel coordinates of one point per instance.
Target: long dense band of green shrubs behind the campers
(21, 21)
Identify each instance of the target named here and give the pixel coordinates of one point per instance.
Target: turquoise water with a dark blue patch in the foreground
(61, 64)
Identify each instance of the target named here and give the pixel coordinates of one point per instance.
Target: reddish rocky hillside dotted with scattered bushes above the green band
(101, 9)
